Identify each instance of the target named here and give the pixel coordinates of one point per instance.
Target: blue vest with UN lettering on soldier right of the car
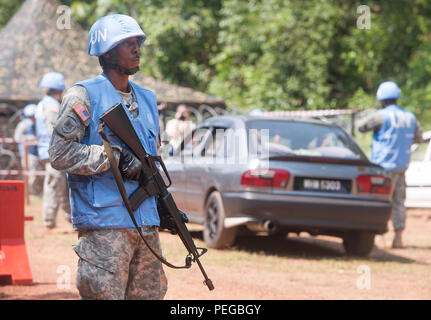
(391, 144)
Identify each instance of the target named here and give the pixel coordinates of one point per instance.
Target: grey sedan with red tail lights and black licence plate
(237, 173)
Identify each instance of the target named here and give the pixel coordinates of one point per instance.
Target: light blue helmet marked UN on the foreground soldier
(108, 31)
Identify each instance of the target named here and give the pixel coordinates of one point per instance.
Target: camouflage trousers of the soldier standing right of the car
(398, 198)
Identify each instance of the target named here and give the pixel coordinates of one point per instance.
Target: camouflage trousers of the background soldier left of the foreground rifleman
(55, 196)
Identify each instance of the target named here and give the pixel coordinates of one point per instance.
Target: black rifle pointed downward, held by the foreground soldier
(118, 121)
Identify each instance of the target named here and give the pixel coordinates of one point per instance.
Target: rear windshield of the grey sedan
(302, 139)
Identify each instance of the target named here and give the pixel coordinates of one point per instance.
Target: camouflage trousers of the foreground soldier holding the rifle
(115, 264)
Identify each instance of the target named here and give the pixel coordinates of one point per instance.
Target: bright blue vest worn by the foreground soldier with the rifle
(95, 200)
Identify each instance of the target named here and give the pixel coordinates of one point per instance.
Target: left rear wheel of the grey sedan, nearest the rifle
(215, 234)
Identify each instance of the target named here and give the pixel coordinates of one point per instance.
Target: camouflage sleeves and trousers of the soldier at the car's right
(374, 122)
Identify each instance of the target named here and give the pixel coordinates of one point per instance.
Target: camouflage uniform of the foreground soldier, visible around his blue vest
(114, 263)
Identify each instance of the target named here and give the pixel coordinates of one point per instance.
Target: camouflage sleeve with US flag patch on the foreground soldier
(66, 152)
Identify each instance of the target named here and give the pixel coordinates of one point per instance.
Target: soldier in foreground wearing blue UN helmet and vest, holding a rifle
(114, 263)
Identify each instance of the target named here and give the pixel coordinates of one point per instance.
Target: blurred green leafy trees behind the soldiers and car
(279, 54)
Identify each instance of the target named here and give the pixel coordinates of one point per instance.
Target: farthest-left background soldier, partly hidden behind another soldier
(26, 130)
